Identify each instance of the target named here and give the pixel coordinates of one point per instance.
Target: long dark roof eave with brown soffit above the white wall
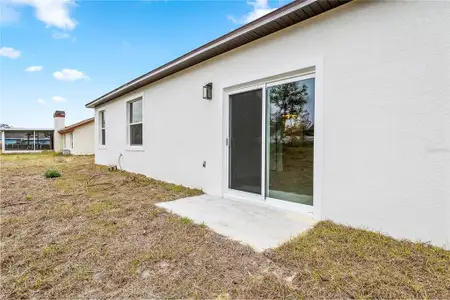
(285, 16)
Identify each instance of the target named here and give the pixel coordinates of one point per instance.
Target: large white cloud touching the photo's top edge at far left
(54, 13)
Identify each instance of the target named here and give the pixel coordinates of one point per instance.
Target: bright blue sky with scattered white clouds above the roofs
(61, 54)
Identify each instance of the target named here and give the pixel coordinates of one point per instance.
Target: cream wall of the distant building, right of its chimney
(83, 140)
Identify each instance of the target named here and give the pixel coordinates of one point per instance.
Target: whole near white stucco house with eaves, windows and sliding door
(227, 117)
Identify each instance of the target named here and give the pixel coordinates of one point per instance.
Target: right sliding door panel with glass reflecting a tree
(290, 141)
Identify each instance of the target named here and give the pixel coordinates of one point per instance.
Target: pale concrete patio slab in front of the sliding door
(258, 225)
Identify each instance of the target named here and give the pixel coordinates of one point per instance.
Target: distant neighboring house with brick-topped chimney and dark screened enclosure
(77, 138)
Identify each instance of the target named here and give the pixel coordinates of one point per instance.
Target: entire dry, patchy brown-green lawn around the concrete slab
(92, 233)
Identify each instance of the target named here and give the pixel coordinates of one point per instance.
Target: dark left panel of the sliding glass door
(245, 149)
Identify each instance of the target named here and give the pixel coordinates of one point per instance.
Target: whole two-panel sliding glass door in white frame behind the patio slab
(271, 140)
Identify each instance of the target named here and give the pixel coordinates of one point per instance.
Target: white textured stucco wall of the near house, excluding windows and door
(384, 69)
